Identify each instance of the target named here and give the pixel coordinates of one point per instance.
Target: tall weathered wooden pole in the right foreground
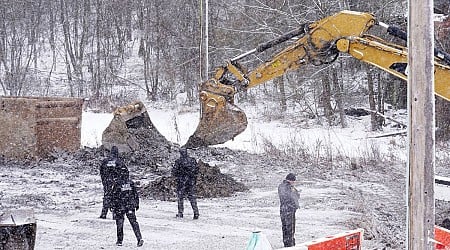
(421, 125)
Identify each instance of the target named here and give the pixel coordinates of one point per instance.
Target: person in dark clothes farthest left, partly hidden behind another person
(108, 173)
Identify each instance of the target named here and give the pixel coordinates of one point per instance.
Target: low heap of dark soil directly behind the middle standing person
(211, 183)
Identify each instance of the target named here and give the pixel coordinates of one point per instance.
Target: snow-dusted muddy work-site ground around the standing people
(65, 193)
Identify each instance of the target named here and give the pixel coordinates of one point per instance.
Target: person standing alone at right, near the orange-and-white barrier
(289, 204)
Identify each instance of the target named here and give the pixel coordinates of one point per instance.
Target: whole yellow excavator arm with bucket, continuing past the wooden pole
(317, 43)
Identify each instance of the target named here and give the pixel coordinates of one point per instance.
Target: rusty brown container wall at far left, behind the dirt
(33, 127)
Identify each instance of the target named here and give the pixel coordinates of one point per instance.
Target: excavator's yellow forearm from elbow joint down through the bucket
(221, 120)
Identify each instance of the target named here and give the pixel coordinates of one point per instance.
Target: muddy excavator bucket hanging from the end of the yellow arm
(220, 121)
